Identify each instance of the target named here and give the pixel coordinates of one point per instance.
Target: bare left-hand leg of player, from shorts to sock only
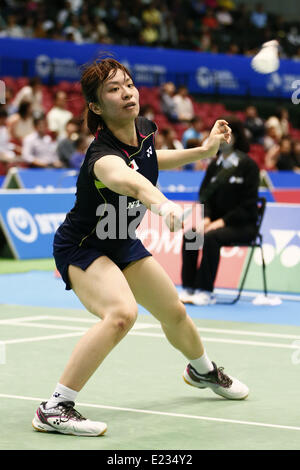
(104, 291)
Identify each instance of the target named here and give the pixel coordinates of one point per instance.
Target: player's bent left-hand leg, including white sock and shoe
(104, 291)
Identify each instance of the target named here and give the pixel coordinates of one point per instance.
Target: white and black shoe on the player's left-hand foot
(64, 419)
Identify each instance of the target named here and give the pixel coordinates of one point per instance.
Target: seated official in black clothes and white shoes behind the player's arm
(229, 194)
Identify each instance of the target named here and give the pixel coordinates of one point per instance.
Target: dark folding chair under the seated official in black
(255, 243)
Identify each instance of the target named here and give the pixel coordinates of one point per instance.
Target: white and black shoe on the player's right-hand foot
(220, 383)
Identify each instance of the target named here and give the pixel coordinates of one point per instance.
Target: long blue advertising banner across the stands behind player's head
(201, 72)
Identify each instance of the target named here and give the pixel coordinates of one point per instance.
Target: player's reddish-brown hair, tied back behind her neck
(92, 78)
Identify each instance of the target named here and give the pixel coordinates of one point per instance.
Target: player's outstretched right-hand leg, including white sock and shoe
(154, 290)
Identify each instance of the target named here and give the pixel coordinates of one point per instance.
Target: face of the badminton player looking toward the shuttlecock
(119, 98)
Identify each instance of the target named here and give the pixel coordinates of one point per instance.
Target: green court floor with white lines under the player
(139, 390)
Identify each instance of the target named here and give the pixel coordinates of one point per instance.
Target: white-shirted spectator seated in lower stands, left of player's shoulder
(39, 150)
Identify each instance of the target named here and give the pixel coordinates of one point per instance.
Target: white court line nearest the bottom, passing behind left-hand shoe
(163, 413)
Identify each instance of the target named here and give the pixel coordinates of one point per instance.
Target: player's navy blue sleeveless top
(93, 197)
